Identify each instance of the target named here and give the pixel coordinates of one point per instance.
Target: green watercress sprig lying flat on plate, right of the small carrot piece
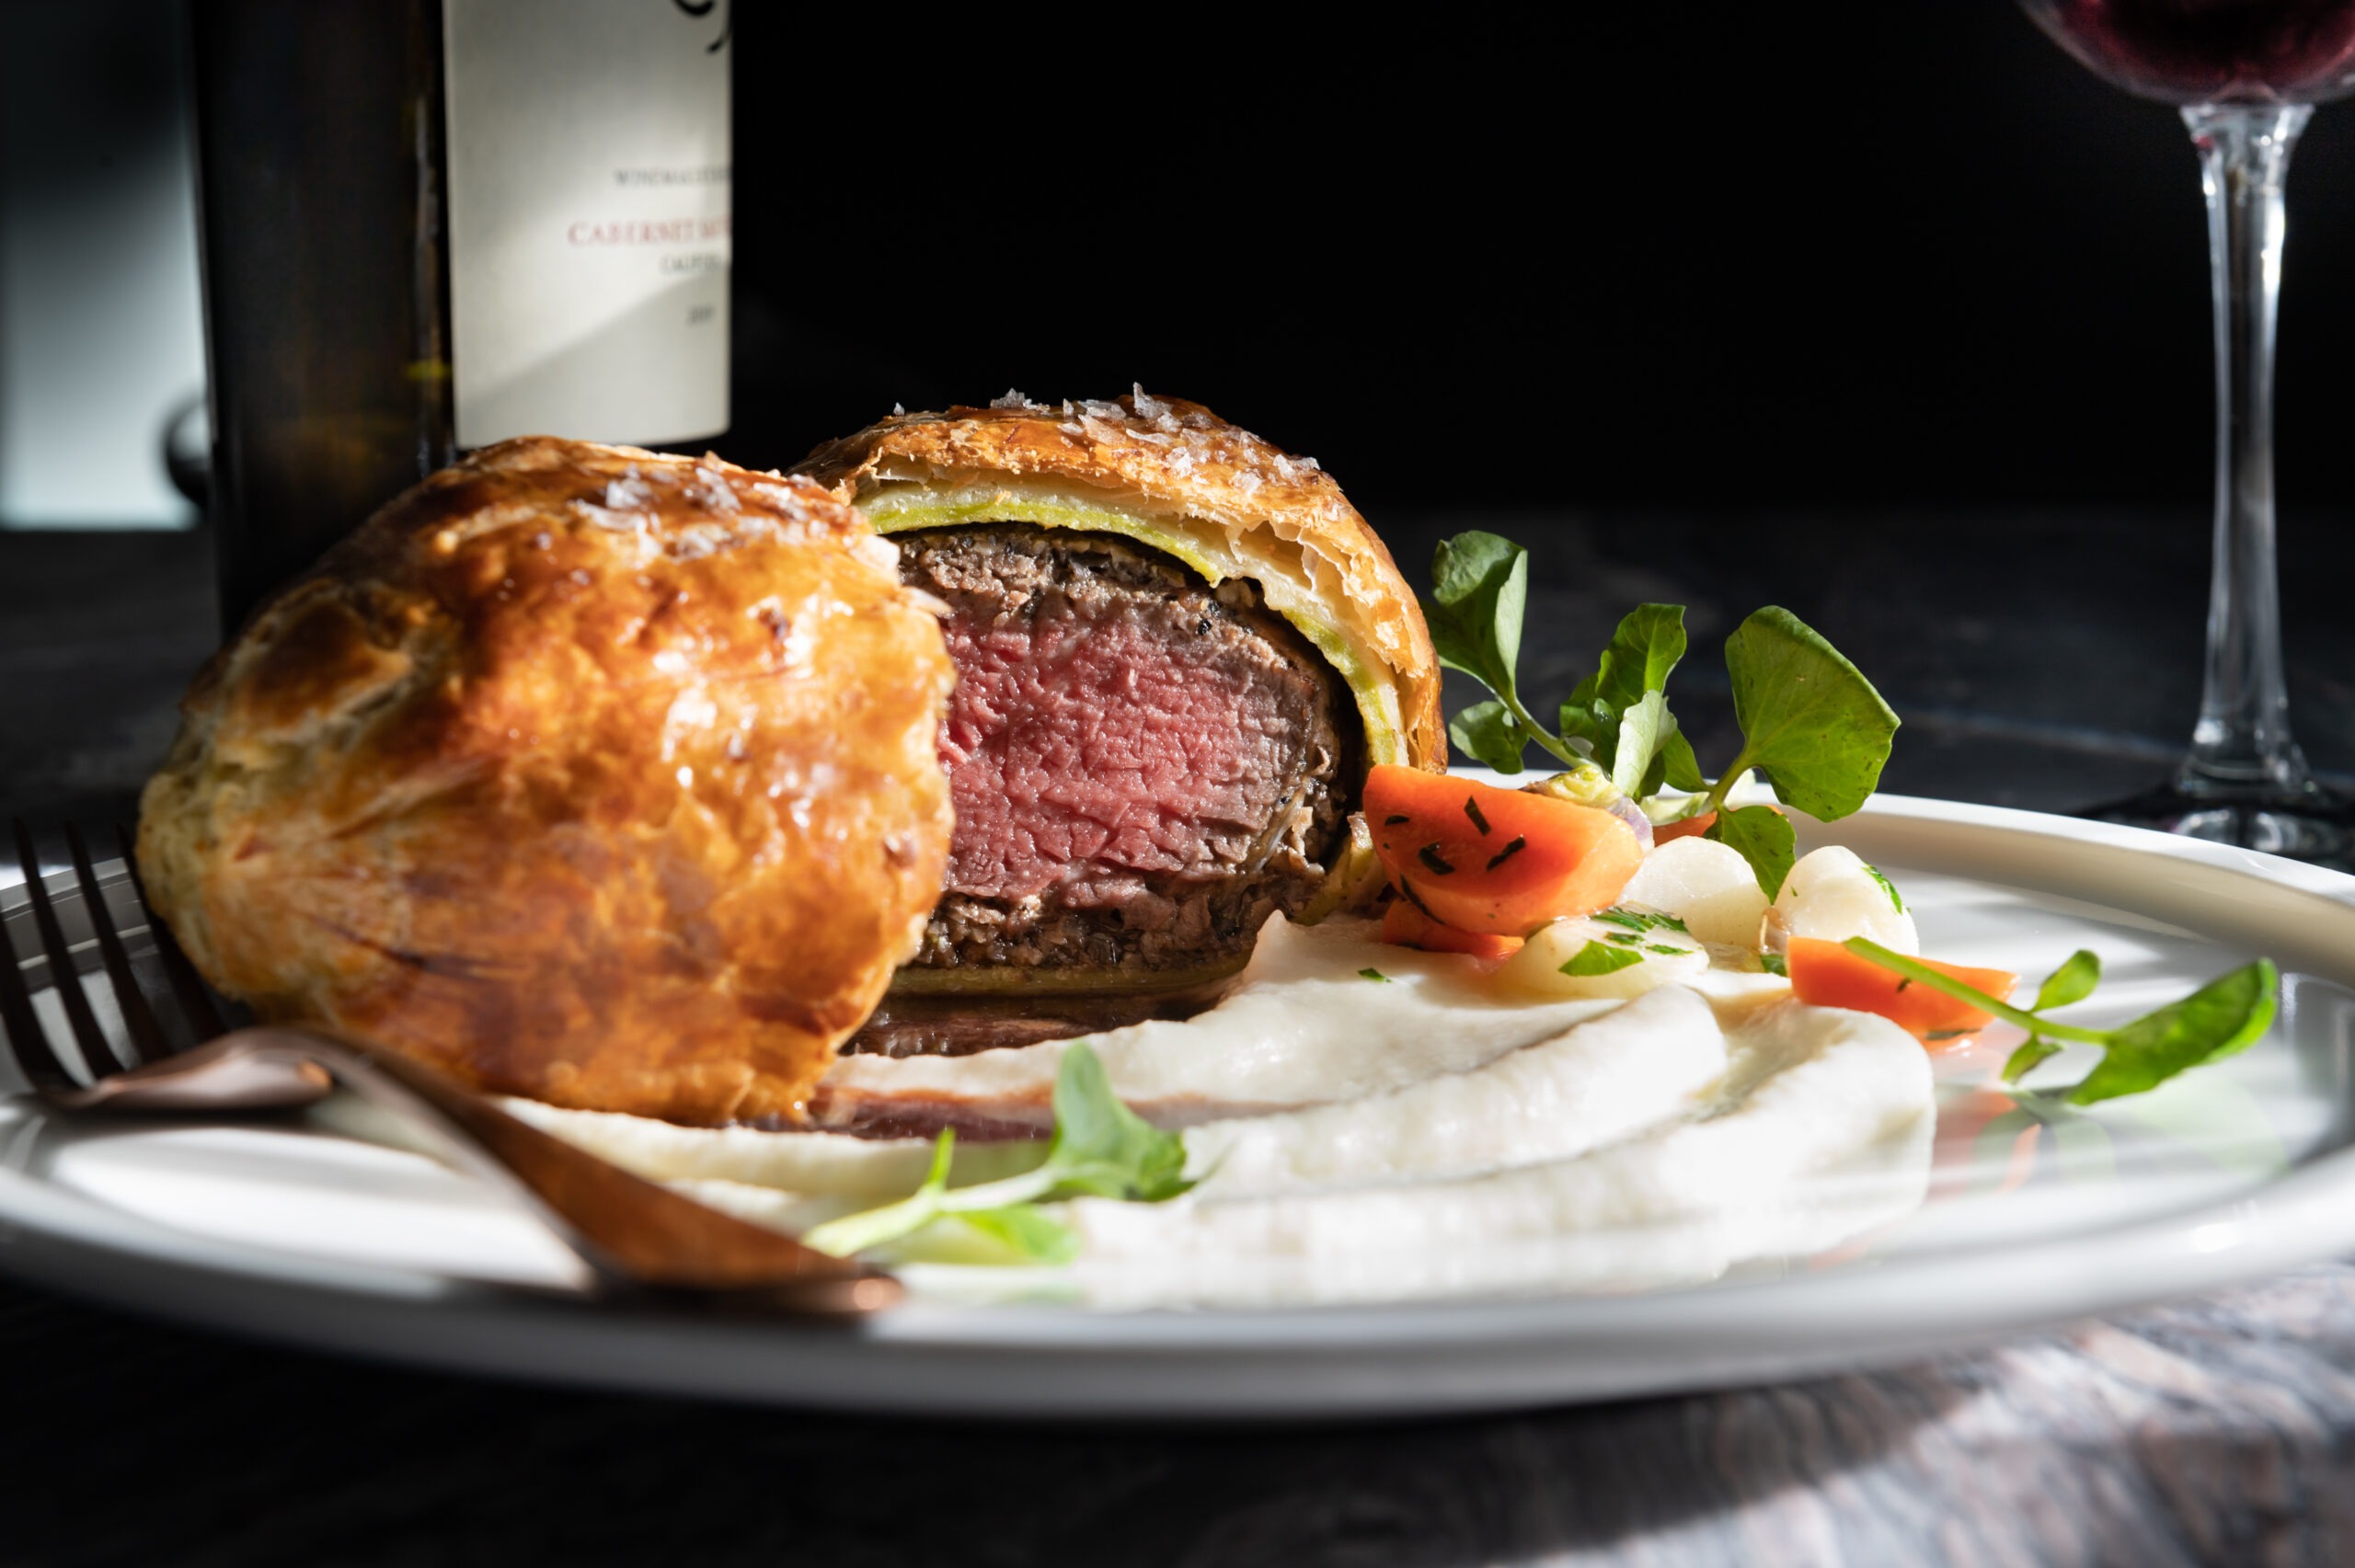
(2222, 1018)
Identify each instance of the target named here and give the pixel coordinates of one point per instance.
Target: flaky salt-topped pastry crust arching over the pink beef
(1228, 500)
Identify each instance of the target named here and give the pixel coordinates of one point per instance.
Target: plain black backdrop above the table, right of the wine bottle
(1628, 258)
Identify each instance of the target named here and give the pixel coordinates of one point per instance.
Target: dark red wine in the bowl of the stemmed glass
(2213, 51)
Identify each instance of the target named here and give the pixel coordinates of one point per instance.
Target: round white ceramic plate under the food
(2234, 1171)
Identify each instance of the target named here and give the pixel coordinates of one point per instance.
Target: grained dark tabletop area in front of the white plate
(2208, 1433)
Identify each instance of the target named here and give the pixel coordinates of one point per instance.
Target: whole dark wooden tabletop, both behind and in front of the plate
(2038, 663)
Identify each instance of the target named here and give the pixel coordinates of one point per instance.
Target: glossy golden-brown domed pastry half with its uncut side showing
(585, 773)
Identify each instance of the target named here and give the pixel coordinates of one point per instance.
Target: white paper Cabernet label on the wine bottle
(588, 157)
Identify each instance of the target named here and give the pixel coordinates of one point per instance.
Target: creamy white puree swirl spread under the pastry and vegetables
(1412, 1136)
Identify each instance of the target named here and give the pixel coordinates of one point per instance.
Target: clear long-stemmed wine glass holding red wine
(2245, 77)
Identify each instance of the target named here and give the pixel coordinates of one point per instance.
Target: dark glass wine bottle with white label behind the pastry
(434, 225)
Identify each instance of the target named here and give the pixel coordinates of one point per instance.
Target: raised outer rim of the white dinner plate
(1336, 1360)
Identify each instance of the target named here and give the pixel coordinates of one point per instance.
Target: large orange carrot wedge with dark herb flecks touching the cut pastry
(1494, 861)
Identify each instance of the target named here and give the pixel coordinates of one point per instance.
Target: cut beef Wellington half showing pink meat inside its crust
(1179, 649)
